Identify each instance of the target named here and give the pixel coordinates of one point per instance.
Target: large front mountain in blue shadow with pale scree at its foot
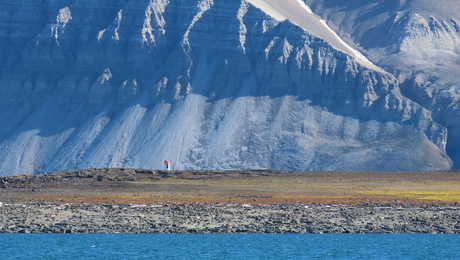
(207, 84)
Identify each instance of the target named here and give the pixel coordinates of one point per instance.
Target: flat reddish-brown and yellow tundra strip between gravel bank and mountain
(256, 187)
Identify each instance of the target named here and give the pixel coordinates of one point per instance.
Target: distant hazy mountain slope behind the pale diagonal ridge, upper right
(418, 41)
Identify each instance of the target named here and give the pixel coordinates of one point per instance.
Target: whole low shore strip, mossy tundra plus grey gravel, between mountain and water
(146, 201)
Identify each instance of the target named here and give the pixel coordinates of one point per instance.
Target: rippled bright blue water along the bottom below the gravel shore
(231, 246)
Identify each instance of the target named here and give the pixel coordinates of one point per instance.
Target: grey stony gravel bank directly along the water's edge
(227, 218)
